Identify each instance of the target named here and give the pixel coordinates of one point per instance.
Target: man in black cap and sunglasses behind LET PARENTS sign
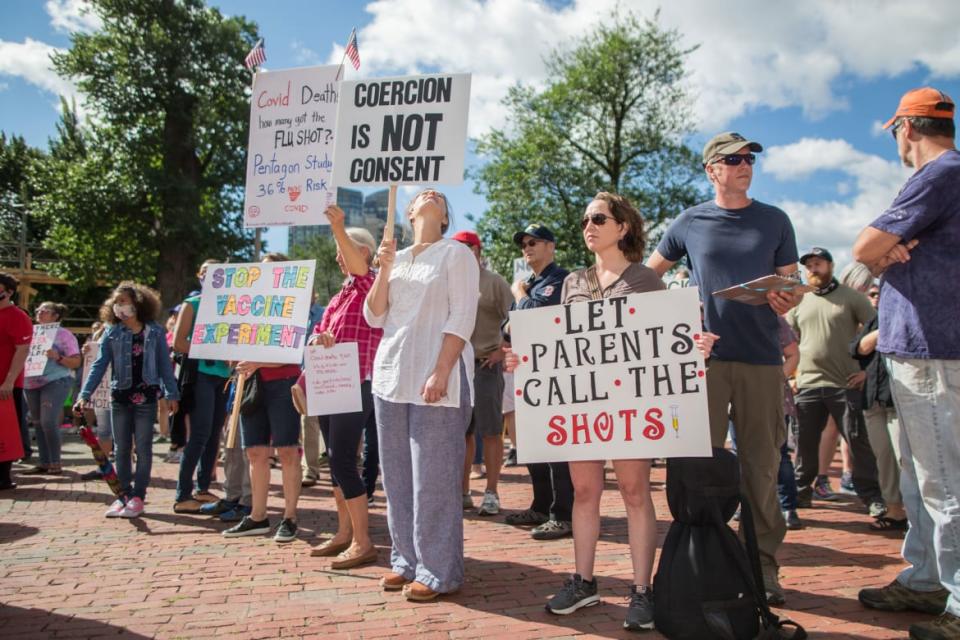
(551, 513)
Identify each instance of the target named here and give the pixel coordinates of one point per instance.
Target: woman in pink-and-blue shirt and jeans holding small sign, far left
(47, 391)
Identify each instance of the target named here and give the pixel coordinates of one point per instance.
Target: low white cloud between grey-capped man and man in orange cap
(834, 224)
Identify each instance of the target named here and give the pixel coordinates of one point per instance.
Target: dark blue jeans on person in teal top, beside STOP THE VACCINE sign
(206, 422)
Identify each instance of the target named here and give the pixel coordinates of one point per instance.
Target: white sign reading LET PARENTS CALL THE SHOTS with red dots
(611, 379)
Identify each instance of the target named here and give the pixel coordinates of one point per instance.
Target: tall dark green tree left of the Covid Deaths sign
(151, 186)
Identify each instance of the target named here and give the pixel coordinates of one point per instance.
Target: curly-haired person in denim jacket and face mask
(136, 348)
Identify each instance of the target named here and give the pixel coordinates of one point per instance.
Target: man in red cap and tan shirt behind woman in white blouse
(486, 425)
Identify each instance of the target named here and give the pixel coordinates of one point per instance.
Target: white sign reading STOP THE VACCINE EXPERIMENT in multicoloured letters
(255, 311)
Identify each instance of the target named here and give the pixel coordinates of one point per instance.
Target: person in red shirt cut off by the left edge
(16, 332)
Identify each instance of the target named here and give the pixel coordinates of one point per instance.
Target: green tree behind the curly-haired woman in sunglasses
(612, 117)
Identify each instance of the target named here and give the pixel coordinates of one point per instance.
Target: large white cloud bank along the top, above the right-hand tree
(753, 53)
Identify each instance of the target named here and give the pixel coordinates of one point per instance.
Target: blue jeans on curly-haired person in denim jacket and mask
(134, 422)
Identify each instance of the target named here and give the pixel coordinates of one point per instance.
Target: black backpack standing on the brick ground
(707, 586)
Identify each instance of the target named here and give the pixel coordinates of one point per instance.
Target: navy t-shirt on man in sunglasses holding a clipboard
(725, 247)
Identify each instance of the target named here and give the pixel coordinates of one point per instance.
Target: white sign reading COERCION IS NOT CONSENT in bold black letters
(410, 130)
